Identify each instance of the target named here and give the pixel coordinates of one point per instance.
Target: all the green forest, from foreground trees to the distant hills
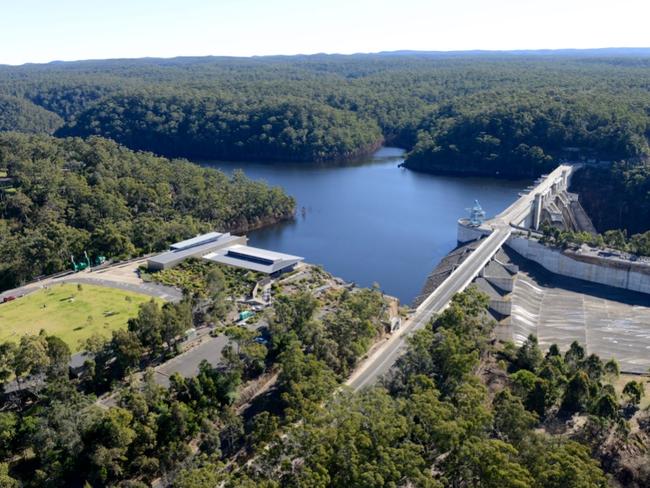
(85, 168)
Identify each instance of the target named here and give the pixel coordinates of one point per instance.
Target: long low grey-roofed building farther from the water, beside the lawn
(196, 247)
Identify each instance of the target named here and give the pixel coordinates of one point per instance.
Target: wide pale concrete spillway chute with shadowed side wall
(609, 322)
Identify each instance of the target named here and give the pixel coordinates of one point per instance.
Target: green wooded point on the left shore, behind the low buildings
(70, 196)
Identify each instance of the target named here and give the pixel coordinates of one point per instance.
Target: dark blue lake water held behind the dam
(373, 222)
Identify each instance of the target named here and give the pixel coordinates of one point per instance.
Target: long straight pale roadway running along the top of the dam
(524, 212)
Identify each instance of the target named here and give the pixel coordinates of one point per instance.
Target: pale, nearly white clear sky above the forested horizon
(47, 30)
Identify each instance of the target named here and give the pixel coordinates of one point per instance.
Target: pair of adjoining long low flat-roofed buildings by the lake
(224, 249)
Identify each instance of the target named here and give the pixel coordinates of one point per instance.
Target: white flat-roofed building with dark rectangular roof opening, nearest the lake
(255, 259)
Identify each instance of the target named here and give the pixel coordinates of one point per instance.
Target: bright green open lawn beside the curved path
(69, 313)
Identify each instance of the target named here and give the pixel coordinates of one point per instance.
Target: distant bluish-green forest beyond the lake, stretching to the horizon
(511, 116)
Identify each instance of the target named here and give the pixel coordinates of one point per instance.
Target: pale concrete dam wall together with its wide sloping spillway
(598, 297)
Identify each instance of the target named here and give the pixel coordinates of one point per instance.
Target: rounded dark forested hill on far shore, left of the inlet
(203, 126)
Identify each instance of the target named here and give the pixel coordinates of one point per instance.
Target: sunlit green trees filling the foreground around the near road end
(459, 410)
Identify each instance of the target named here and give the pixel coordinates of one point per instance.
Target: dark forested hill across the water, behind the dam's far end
(523, 134)
